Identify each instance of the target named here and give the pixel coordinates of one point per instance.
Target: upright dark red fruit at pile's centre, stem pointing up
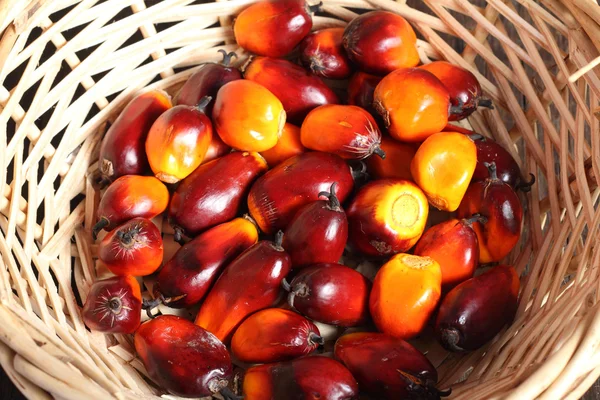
(318, 232)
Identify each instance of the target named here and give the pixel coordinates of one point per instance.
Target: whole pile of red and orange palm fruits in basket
(260, 174)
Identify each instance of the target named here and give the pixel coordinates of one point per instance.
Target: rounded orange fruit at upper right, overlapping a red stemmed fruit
(413, 103)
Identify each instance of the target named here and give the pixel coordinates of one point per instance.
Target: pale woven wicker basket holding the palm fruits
(69, 66)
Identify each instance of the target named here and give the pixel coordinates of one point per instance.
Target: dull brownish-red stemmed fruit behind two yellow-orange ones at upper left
(207, 81)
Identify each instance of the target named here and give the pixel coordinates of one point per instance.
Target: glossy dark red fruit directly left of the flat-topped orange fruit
(333, 294)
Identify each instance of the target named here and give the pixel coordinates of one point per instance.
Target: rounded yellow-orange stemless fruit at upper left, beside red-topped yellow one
(248, 116)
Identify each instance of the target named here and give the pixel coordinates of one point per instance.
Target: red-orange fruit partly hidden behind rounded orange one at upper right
(463, 87)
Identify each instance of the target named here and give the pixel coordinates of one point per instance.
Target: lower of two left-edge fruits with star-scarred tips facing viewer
(113, 305)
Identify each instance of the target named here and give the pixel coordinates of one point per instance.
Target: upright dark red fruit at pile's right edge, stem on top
(498, 203)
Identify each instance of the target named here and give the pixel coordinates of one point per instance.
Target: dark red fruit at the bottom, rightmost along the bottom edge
(388, 367)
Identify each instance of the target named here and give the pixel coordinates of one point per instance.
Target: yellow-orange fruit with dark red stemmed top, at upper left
(178, 141)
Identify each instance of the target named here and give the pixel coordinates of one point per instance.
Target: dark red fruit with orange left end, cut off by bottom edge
(313, 377)
